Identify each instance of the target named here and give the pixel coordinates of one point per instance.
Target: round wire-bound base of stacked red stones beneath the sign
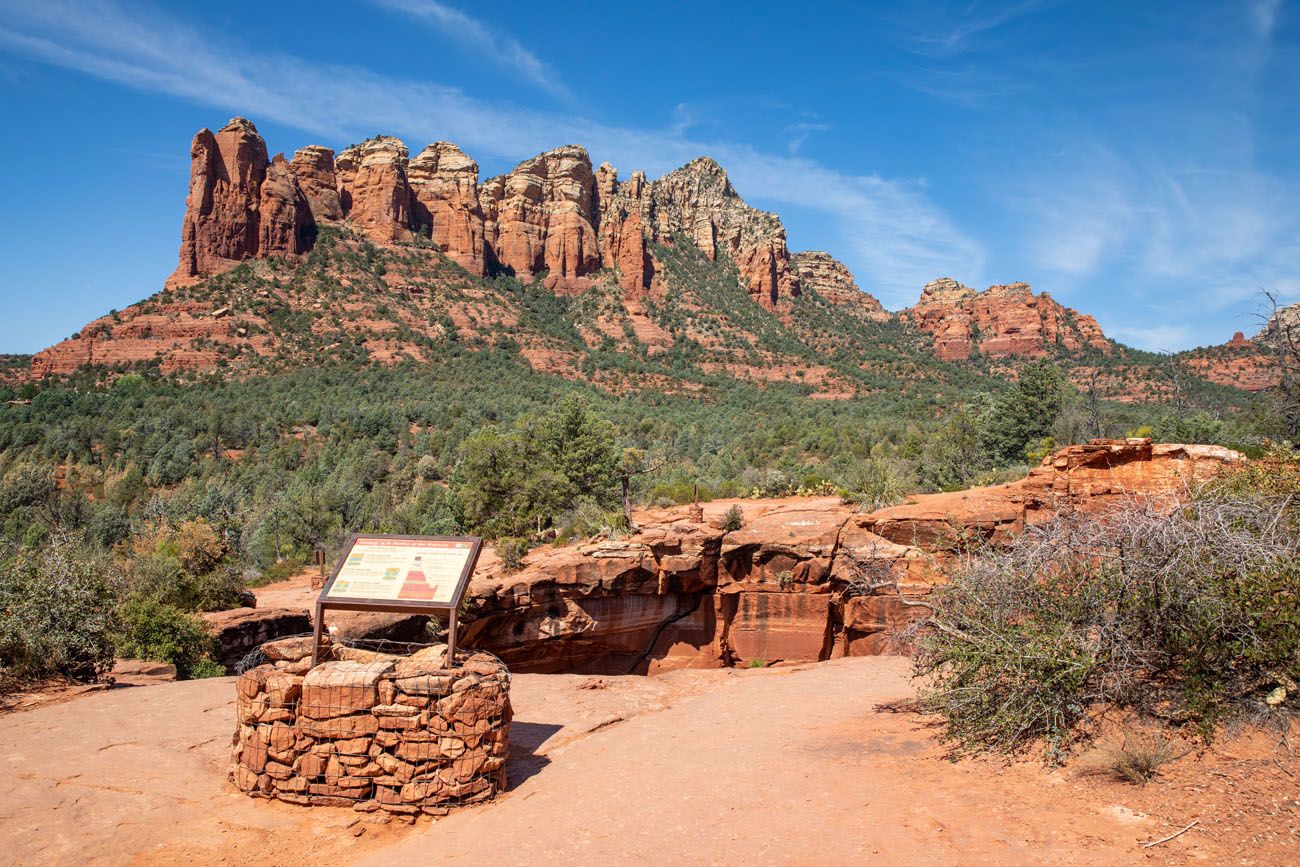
(375, 731)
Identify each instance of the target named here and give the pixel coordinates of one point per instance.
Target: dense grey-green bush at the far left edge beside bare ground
(57, 613)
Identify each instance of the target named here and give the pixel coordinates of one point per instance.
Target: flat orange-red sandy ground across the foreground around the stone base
(720, 768)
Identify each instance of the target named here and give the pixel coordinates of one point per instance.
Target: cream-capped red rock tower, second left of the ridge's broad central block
(372, 188)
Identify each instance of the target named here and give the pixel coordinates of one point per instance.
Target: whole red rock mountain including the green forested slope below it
(374, 344)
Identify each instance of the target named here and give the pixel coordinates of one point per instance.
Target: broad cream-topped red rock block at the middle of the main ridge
(539, 218)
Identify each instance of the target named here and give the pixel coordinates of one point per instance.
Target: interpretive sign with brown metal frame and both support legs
(409, 574)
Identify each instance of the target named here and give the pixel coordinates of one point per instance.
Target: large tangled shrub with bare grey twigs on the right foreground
(1193, 612)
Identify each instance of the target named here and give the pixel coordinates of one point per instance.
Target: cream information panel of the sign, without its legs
(404, 570)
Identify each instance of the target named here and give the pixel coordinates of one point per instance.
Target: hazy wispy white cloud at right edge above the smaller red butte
(1214, 237)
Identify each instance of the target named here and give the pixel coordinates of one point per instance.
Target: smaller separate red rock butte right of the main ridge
(1000, 322)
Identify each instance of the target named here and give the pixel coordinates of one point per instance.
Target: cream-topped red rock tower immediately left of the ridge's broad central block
(445, 198)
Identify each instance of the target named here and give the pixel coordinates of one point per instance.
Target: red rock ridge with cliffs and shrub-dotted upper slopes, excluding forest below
(376, 254)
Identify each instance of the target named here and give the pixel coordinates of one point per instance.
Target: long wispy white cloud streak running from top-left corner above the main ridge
(891, 235)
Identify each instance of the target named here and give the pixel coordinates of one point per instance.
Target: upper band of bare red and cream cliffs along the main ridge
(552, 214)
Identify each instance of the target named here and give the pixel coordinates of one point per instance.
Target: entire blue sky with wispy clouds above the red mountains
(1139, 161)
